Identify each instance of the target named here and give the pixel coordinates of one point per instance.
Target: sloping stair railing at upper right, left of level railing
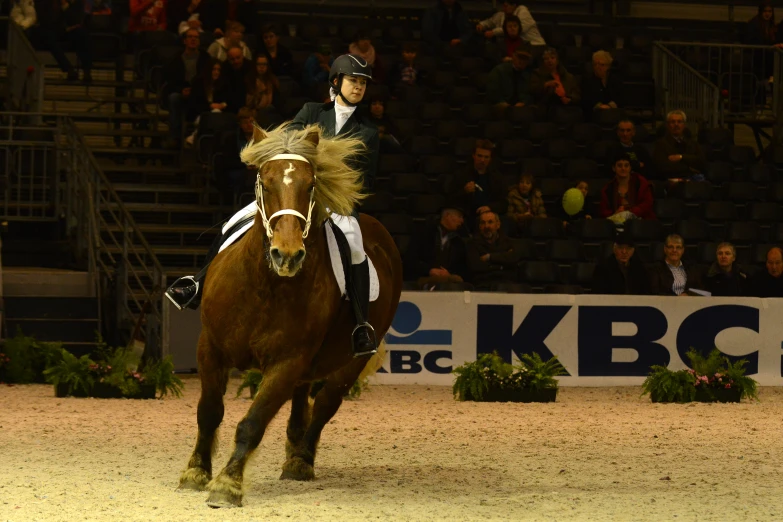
(680, 86)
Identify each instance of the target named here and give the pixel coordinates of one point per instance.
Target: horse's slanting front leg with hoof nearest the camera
(279, 382)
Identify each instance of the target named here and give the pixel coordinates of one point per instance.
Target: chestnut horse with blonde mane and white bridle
(271, 301)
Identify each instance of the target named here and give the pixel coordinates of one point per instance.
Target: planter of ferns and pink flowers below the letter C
(712, 378)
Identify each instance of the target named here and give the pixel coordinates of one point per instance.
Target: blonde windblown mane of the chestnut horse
(338, 185)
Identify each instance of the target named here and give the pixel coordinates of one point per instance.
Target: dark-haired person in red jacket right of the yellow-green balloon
(628, 196)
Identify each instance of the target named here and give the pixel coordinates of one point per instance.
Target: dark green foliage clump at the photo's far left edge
(23, 359)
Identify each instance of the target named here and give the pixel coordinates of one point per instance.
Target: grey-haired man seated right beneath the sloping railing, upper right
(677, 157)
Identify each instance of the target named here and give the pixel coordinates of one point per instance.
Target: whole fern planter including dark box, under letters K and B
(491, 379)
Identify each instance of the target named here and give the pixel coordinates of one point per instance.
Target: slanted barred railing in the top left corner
(25, 72)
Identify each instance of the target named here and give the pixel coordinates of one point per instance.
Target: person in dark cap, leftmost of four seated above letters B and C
(621, 273)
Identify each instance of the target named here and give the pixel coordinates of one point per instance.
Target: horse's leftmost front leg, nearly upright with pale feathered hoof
(210, 414)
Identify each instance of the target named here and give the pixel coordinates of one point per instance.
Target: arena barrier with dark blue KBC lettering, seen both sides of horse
(601, 340)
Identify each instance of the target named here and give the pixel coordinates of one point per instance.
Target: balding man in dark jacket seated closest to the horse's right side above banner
(437, 251)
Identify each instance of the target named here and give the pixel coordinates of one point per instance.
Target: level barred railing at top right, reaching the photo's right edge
(741, 73)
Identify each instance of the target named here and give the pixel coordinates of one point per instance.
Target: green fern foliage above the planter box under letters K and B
(474, 379)
